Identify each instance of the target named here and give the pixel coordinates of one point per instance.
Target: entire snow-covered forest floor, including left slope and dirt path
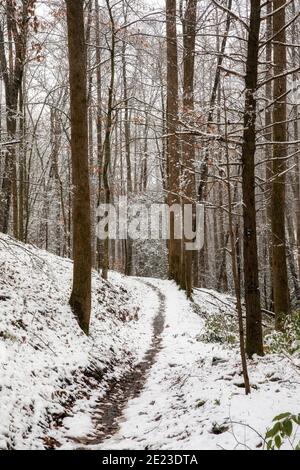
(150, 376)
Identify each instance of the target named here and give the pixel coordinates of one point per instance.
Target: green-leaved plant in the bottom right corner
(282, 432)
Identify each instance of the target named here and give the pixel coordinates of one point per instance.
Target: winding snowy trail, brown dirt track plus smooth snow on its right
(140, 400)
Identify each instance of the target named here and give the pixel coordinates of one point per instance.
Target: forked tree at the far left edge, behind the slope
(13, 54)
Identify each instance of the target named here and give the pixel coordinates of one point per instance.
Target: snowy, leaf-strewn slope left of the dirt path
(51, 373)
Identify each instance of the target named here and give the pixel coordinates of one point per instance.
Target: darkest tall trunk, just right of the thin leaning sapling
(254, 343)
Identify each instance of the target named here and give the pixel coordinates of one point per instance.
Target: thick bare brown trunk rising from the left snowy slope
(80, 300)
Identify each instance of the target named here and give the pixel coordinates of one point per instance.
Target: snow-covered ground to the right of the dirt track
(193, 398)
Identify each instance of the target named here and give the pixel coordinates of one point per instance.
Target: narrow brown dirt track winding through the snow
(110, 408)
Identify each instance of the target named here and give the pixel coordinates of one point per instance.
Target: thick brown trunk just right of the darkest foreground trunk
(280, 277)
